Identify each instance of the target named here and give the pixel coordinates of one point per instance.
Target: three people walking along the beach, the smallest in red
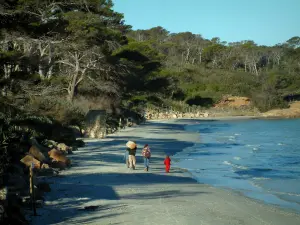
(130, 158)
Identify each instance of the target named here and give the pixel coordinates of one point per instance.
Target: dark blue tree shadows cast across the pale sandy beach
(77, 190)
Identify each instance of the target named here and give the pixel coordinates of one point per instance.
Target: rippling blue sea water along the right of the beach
(260, 158)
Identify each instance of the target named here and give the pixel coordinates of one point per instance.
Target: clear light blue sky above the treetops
(267, 22)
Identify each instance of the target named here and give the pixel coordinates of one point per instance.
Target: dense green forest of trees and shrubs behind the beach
(58, 59)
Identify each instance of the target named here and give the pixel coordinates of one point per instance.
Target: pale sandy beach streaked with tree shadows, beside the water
(100, 189)
